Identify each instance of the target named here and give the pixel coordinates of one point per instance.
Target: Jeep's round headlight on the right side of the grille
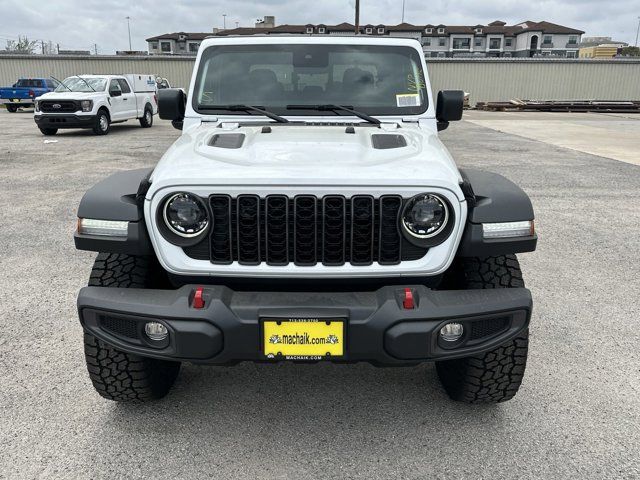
(425, 216)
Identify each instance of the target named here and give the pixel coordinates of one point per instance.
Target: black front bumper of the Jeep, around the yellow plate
(379, 329)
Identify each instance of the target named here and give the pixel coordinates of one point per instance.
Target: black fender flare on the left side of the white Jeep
(118, 197)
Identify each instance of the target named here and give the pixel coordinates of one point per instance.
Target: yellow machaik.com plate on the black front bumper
(303, 339)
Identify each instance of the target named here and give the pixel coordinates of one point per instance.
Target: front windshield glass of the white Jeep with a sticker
(377, 80)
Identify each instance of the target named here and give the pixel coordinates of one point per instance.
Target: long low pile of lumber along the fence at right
(561, 106)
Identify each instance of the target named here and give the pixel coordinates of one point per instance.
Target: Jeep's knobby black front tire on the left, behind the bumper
(117, 375)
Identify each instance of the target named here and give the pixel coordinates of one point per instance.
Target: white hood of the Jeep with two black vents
(306, 155)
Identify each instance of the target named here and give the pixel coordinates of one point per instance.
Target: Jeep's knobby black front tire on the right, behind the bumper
(494, 376)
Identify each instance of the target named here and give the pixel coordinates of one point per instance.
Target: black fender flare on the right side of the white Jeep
(492, 198)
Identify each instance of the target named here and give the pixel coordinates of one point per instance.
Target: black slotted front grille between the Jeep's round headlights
(305, 230)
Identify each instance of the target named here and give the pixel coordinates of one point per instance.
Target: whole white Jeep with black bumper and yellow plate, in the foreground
(308, 212)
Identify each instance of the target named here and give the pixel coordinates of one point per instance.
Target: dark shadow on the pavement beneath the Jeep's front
(279, 403)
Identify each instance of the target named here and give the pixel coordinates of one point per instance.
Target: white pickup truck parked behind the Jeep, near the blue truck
(96, 102)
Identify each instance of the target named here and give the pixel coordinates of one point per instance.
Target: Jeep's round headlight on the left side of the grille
(185, 215)
